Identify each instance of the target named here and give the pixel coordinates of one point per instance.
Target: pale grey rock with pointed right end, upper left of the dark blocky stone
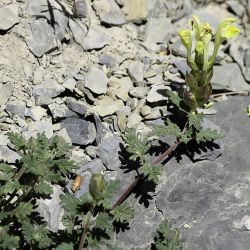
(49, 88)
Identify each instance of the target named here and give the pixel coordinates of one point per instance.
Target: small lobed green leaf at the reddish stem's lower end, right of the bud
(123, 213)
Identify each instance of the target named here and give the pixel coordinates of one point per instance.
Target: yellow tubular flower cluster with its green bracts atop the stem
(198, 80)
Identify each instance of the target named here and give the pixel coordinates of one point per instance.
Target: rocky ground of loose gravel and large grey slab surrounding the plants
(87, 79)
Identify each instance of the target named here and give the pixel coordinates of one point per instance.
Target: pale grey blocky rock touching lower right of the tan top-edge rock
(158, 30)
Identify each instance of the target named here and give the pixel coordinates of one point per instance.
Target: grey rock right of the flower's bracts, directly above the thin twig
(229, 77)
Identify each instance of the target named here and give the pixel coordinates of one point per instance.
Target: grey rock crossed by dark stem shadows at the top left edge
(43, 8)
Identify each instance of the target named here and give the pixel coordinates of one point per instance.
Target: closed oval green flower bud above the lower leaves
(96, 185)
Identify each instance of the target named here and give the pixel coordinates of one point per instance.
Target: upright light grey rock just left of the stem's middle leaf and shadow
(109, 151)
